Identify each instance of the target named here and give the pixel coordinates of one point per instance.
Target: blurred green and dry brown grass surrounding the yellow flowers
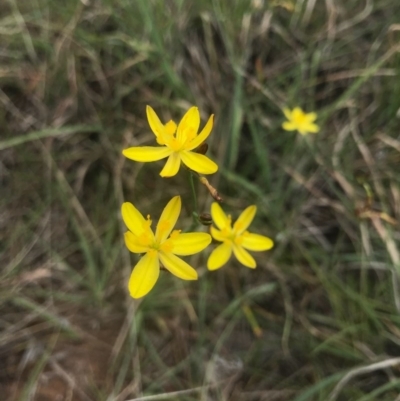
(319, 317)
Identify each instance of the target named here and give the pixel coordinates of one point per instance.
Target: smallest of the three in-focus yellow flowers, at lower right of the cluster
(235, 238)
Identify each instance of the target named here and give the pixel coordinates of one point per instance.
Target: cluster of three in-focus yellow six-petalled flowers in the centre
(181, 144)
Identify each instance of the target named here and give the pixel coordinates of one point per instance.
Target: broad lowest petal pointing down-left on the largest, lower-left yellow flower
(144, 275)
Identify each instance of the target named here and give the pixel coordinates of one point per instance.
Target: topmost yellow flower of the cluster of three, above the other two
(178, 143)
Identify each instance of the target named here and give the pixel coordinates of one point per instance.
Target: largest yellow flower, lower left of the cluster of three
(161, 247)
